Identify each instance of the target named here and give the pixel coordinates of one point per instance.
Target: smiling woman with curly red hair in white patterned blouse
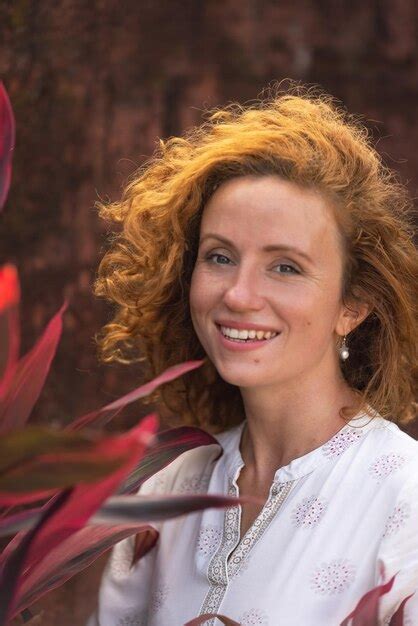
(273, 241)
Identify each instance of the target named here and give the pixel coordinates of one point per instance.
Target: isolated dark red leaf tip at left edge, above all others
(7, 142)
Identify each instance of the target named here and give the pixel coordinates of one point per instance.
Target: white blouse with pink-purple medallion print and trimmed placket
(333, 518)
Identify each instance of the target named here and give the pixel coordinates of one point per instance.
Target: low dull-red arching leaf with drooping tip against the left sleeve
(75, 554)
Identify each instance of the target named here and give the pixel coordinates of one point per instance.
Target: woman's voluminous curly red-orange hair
(305, 136)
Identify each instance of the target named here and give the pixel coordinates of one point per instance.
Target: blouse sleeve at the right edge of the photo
(398, 554)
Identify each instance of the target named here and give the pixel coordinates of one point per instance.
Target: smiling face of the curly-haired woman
(269, 255)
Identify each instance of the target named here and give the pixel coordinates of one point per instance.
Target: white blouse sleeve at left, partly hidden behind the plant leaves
(124, 591)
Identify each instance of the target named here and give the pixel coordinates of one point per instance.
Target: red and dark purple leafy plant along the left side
(71, 475)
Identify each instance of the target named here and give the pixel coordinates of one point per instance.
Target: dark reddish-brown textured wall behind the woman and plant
(94, 84)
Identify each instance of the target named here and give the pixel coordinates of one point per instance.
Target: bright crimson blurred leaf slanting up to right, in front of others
(85, 499)
